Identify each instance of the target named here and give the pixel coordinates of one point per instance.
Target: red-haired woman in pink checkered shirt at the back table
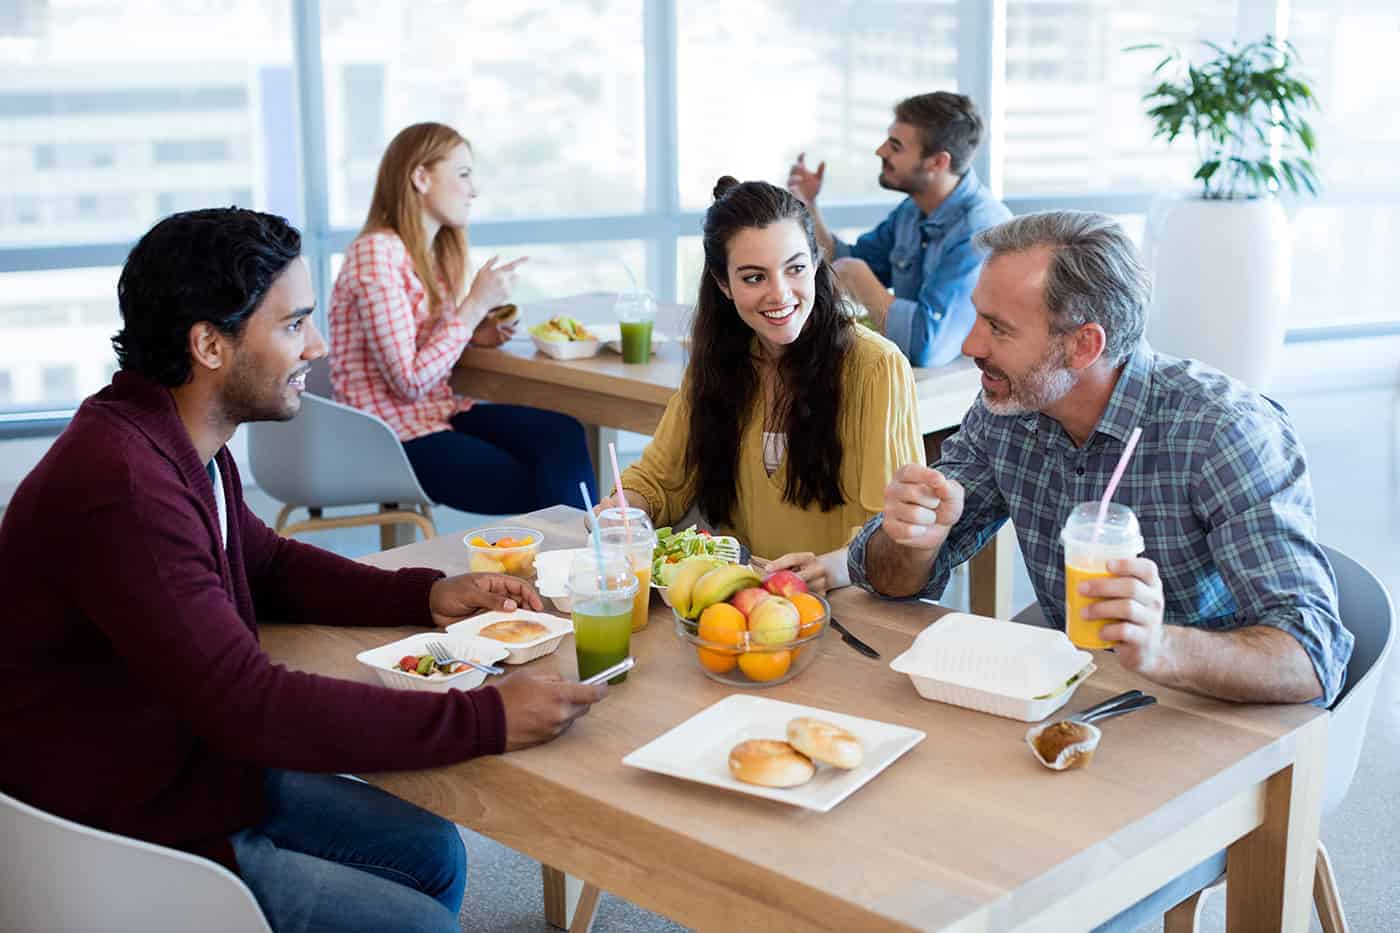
(401, 316)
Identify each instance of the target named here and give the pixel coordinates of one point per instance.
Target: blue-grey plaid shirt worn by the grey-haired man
(1219, 484)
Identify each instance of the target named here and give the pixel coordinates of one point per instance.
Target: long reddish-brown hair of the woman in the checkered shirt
(398, 207)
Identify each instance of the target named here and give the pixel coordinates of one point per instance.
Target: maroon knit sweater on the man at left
(134, 693)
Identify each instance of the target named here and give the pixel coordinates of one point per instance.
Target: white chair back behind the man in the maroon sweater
(57, 875)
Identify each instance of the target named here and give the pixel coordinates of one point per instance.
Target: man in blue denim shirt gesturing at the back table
(923, 250)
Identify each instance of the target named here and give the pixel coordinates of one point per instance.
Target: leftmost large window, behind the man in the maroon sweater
(113, 116)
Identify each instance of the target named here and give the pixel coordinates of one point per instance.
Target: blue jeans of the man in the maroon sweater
(337, 855)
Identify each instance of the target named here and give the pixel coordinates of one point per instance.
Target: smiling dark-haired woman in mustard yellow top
(792, 418)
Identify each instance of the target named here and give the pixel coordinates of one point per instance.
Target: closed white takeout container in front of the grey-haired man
(1004, 669)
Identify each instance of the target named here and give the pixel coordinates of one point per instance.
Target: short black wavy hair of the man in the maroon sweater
(201, 265)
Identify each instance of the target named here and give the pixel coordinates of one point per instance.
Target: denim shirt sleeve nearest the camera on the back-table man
(943, 316)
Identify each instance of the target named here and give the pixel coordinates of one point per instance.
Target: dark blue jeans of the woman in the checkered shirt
(505, 460)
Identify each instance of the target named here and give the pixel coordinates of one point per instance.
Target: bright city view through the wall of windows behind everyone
(117, 113)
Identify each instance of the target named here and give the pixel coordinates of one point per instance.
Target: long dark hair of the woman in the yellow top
(724, 380)
